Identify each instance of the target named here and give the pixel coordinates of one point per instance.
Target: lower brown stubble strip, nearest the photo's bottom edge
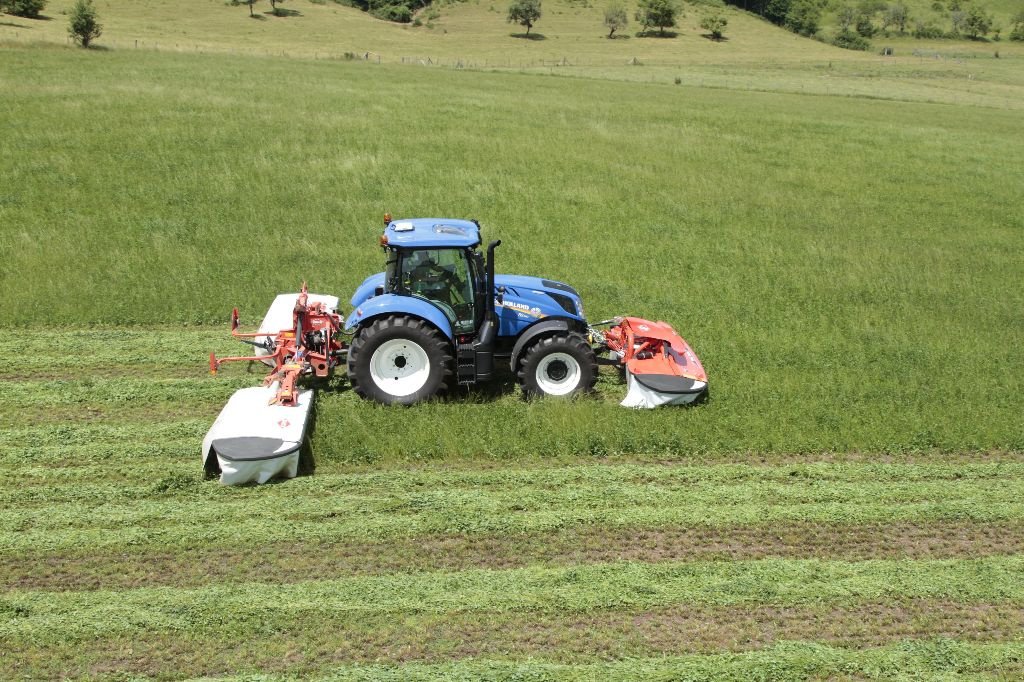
(306, 647)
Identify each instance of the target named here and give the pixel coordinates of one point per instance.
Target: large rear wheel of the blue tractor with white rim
(399, 361)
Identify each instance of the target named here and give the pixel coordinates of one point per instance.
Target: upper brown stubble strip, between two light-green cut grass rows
(302, 562)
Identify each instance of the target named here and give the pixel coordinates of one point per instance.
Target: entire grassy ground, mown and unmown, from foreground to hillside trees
(838, 236)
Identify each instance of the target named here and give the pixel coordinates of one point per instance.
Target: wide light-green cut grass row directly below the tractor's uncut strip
(181, 511)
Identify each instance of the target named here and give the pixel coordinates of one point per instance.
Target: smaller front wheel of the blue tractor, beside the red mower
(560, 366)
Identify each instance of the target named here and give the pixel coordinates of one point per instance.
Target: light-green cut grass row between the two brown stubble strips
(57, 618)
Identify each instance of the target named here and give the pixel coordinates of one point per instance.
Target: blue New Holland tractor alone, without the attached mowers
(439, 317)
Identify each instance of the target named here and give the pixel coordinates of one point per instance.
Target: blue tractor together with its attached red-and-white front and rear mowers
(436, 319)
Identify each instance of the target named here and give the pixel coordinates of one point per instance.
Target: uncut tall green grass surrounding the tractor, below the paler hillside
(848, 270)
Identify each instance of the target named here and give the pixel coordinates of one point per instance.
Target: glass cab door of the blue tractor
(447, 278)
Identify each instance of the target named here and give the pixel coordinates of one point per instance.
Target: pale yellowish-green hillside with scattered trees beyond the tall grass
(570, 40)
